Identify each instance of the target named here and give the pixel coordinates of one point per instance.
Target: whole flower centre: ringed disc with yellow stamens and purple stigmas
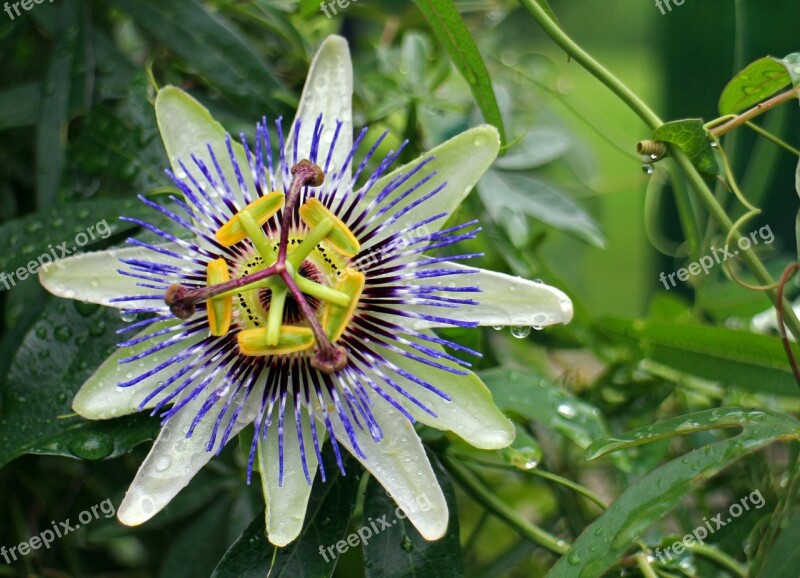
(291, 297)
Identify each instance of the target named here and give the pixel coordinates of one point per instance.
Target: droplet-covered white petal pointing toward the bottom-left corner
(174, 460)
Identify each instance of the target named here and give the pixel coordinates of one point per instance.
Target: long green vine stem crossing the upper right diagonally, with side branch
(653, 121)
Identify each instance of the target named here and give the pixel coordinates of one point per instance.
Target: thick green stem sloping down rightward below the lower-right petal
(496, 506)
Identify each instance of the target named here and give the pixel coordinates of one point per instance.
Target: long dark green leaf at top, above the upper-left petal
(212, 47)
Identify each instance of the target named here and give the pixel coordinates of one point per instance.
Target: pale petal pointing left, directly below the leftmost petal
(100, 397)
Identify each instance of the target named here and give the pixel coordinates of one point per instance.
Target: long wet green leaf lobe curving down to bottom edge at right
(651, 497)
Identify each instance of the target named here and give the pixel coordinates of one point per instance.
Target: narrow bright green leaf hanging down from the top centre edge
(456, 39)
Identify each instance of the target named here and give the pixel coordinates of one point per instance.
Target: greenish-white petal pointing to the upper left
(187, 128)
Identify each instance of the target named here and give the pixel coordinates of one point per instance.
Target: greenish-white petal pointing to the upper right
(460, 162)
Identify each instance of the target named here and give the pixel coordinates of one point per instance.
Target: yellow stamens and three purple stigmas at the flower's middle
(281, 277)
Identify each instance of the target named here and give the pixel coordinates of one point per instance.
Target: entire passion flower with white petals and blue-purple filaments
(301, 300)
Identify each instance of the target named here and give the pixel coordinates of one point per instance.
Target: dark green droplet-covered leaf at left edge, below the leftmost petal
(55, 357)
